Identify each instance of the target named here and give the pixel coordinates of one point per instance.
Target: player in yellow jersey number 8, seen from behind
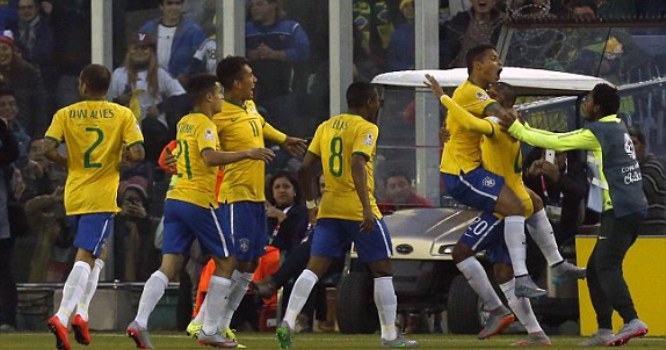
(345, 147)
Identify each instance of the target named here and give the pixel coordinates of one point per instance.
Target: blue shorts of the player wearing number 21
(185, 221)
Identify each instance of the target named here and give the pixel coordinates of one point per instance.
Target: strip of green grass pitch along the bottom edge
(318, 341)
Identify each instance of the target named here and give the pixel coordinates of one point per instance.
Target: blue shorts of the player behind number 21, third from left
(247, 223)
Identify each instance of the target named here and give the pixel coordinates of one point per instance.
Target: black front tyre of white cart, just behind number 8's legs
(356, 308)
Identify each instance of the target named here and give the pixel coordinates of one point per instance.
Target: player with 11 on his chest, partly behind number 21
(241, 196)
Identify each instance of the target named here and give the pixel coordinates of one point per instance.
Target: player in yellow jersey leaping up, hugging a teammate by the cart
(464, 177)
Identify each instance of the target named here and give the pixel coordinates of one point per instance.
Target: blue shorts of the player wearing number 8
(333, 237)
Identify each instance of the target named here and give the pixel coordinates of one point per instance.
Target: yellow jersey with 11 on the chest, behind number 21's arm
(240, 128)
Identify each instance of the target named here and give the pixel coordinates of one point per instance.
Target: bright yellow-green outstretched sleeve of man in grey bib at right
(578, 139)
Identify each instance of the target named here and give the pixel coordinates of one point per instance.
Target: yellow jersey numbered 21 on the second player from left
(195, 182)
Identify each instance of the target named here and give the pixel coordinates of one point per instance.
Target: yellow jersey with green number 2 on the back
(94, 133)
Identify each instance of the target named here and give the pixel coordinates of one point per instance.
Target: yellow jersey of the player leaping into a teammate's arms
(462, 152)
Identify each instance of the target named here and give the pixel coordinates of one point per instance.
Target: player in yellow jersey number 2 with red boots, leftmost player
(94, 132)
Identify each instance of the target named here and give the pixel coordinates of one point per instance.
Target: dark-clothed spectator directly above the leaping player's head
(480, 25)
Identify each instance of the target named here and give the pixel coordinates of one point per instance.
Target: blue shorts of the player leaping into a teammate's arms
(478, 189)
